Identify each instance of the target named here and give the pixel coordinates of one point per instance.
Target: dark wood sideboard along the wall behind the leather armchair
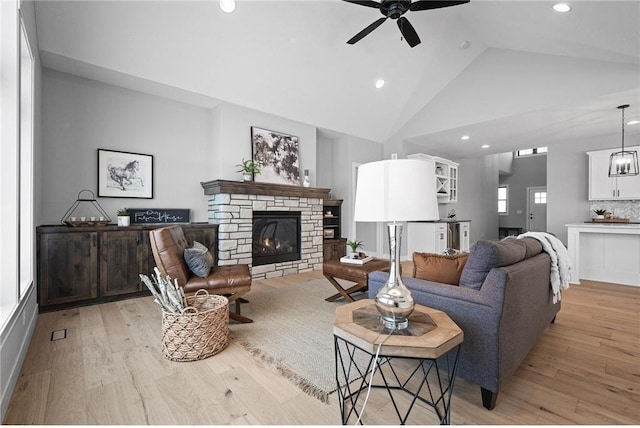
(86, 265)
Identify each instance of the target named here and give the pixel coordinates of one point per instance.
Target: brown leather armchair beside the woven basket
(233, 281)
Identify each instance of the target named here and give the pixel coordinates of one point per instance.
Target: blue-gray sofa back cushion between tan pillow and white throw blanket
(486, 255)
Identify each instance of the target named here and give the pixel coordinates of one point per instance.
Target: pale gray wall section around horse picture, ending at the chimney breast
(81, 116)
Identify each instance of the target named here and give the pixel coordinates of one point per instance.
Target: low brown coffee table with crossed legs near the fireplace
(334, 269)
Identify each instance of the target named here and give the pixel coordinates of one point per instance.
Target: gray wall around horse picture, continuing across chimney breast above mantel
(189, 144)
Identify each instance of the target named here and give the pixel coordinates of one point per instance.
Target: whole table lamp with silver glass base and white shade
(394, 191)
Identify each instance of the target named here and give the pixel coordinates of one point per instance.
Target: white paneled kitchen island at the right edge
(608, 252)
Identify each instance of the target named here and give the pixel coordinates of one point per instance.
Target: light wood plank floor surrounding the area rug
(109, 370)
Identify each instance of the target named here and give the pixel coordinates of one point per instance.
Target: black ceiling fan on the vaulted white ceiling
(394, 9)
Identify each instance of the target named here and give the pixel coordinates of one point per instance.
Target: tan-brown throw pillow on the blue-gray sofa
(445, 269)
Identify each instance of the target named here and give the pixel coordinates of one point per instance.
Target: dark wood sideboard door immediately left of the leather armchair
(124, 257)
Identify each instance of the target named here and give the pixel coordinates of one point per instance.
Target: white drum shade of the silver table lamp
(396, 190)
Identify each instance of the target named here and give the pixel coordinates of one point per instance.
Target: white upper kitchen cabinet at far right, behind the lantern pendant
(603, 187)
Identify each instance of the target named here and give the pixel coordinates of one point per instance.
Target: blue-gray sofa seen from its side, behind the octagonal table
(503, 304)
